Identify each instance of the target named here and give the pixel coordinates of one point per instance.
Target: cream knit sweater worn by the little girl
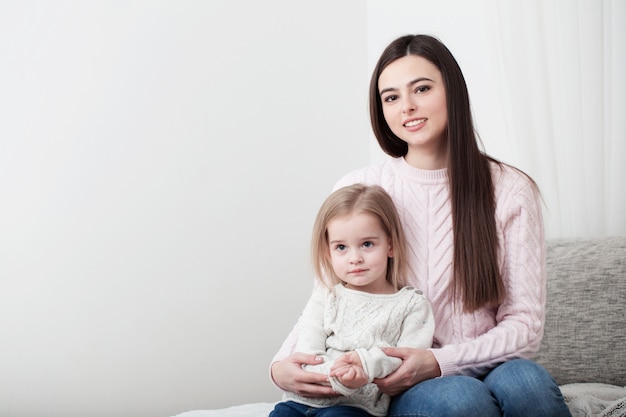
(342, 320)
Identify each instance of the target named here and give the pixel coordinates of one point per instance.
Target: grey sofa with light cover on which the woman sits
(584, 344)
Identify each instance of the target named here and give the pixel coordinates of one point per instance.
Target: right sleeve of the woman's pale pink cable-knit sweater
(520, 318)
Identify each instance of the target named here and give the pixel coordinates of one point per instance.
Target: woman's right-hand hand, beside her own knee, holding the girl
(417, 365)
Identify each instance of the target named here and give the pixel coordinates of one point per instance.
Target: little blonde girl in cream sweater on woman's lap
(359, 255)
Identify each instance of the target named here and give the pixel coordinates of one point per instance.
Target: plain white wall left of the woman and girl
(161, 163)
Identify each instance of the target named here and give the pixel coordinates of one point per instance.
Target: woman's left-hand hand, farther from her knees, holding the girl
(289, 376)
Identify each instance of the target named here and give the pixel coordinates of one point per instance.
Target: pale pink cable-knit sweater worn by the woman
(467, 344)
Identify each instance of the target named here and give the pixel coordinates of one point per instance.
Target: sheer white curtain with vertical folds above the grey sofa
(561, 68)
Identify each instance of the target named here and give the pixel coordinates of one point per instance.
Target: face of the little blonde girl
(359, 249)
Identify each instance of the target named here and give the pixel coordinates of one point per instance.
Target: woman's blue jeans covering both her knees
(518, 388)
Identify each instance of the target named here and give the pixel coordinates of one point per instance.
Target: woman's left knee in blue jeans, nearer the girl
(447, 396)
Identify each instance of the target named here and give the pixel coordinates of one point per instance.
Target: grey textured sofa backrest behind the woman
(585, 331)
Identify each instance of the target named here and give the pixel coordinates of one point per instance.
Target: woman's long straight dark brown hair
(476, 274)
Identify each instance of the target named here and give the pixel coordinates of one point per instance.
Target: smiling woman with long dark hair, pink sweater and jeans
(476, 248)
